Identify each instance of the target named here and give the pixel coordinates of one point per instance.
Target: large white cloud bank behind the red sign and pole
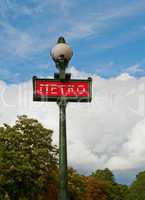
(109, 132)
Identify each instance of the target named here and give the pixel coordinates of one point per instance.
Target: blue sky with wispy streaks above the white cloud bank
(107, 37)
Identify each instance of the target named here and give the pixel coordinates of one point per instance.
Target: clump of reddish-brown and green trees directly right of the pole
(102, 186)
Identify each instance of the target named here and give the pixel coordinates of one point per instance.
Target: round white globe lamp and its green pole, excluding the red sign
(61, 54)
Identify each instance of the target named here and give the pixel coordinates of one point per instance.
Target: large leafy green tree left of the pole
(27, 159)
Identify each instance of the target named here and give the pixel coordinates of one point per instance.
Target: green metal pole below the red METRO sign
(62, 151)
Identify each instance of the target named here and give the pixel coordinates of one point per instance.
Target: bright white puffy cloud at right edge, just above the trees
(132, 152)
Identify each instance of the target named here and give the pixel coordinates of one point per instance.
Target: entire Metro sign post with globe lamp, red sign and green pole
(62, 90)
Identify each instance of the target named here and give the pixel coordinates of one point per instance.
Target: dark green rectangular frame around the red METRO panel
(43, 98)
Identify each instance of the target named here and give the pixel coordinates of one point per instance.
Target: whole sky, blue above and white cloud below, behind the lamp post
(108, 40)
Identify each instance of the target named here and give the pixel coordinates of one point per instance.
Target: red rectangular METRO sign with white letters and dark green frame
(53, 89)
